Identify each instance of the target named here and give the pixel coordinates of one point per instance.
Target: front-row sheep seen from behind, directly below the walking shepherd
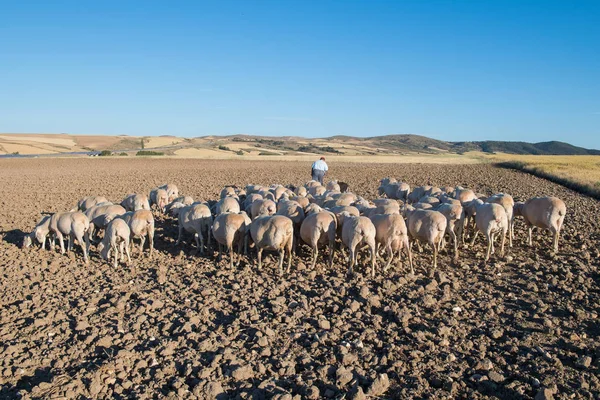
(319, 229)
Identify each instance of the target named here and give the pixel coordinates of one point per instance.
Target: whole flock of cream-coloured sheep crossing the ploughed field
(277, 218)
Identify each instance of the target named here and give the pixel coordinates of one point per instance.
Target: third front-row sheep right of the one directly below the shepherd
(427, 226)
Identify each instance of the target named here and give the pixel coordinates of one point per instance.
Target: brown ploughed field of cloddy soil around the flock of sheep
(186, 326)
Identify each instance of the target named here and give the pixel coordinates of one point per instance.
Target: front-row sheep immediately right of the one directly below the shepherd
(356, 231)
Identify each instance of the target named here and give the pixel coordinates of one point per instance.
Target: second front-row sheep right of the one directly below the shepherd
(391, 232)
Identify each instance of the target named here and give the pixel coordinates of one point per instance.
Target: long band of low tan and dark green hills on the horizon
(49, 144)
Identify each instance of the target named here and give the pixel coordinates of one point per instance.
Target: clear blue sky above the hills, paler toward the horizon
(465, 70)
